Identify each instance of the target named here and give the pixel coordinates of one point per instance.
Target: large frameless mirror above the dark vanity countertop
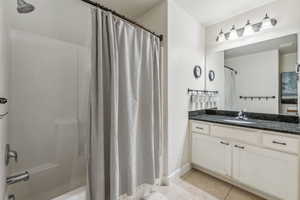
(262, 77)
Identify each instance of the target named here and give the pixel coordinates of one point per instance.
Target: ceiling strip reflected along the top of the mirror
(285, 45)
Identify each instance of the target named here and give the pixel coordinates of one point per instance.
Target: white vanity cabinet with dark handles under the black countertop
(265, 162)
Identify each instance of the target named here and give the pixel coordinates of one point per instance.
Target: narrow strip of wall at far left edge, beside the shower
(3, 93)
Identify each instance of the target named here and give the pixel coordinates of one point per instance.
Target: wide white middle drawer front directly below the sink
(248, 136)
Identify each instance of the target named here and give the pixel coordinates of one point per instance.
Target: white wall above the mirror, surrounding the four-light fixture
(286, 11)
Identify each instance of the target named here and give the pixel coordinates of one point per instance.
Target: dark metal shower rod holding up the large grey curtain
(122, 17)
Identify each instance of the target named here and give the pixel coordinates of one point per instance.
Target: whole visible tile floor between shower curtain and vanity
(196, 185)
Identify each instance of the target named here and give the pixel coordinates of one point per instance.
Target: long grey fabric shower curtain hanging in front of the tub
(125, 106)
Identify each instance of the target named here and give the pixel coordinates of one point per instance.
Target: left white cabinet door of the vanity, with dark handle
(212, 154)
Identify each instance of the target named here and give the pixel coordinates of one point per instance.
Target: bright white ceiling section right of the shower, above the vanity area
(210, 12)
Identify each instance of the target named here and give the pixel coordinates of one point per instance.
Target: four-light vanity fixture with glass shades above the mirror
(248, 29)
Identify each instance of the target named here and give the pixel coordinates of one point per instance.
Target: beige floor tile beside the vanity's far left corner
(209, 184)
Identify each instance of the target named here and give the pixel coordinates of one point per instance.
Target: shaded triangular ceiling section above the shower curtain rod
(130, 8)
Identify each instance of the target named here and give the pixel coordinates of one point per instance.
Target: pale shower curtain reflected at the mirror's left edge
(230, 90)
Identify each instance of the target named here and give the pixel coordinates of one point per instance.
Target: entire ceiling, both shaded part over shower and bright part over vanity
(207, 12)
